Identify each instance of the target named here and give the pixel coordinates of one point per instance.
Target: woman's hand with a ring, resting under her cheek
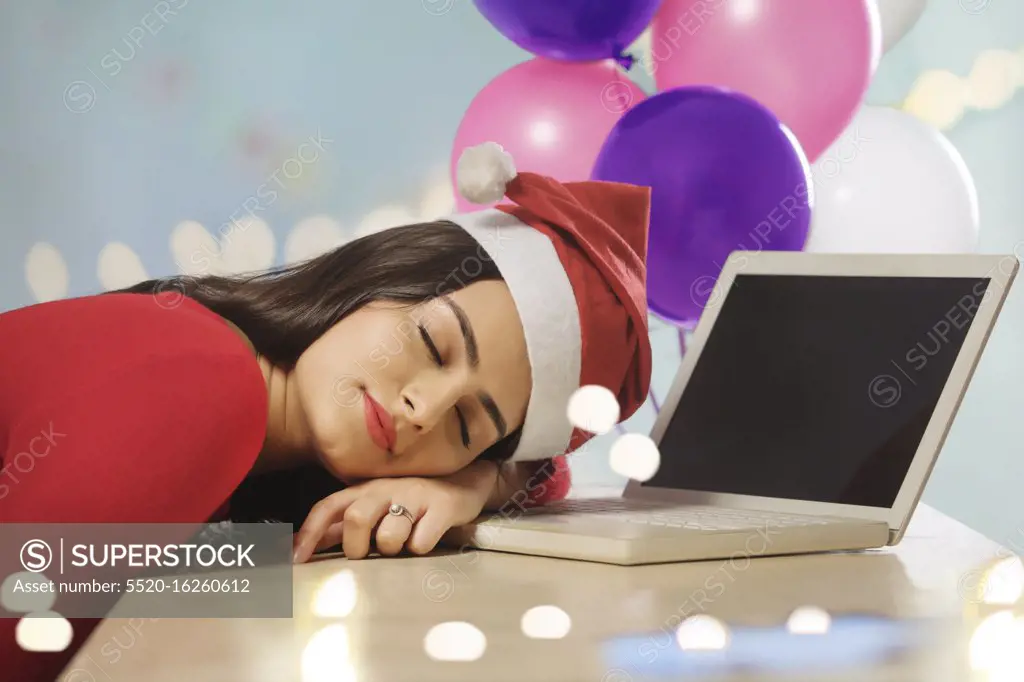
(358, 517)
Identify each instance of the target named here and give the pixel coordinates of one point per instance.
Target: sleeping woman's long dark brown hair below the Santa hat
(285, 311)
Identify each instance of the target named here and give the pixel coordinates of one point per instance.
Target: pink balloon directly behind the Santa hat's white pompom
(552, 117)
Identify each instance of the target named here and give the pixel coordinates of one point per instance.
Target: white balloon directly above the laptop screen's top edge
(891, 184)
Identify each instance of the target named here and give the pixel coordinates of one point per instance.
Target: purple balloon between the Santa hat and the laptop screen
(726, 176)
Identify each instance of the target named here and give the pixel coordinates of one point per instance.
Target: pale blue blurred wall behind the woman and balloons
(389, 81)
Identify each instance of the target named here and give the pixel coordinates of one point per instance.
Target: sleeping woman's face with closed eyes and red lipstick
(400, 391)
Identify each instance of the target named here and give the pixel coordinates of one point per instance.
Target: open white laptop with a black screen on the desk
(807, 414)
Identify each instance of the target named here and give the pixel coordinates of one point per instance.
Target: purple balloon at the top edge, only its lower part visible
(571, 30)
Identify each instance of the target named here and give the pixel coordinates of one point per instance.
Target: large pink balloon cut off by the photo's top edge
(809, 62)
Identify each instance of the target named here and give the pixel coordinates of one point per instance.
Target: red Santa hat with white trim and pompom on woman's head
(573, 255)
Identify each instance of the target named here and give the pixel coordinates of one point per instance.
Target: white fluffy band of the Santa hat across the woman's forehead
(544, 299)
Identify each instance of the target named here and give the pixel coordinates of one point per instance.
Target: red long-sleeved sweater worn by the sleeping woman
(126, 409)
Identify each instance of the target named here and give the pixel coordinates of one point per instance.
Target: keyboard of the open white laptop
(654, 514)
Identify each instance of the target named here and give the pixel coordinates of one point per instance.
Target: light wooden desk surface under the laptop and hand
(374, 620)
